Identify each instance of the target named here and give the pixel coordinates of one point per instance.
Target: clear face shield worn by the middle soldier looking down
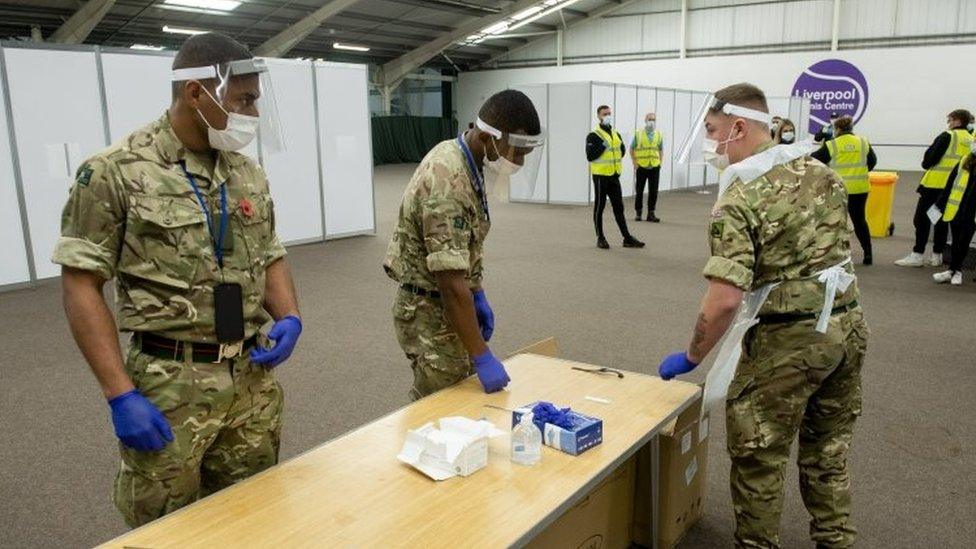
(513, 173)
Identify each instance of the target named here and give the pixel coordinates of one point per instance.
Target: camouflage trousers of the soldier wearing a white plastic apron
(793, 380)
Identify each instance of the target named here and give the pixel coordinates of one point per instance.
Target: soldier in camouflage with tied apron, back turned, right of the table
(784, 226)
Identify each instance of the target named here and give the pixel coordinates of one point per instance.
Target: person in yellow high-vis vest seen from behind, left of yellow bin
(852, 157)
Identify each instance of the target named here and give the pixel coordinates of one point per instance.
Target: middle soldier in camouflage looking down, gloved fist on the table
(441, 316)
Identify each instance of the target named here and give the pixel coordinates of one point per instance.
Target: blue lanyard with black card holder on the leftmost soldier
(228, 297)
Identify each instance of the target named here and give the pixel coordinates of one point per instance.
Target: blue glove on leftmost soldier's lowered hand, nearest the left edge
(139, 424)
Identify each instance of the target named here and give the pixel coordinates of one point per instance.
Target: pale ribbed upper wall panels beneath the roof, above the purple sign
(651, 28)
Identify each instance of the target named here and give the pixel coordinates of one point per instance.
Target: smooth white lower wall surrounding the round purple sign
(910, 89)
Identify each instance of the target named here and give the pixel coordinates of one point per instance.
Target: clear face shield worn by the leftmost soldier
(244, 101)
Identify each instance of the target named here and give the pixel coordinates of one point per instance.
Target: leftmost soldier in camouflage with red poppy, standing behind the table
(192, 416)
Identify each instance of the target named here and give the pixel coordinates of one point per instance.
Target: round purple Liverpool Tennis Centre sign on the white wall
(832, 85)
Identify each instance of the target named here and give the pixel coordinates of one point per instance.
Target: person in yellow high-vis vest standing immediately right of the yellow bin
(942, 155)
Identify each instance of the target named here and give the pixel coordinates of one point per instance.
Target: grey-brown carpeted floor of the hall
(913, 456)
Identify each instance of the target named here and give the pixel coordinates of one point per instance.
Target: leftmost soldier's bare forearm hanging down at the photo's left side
(94, 329)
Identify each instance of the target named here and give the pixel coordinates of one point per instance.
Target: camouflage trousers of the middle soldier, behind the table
(435, 351)
